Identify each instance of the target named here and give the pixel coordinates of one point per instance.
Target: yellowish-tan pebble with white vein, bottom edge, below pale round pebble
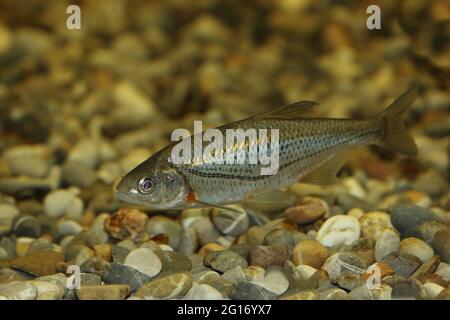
(173, 286)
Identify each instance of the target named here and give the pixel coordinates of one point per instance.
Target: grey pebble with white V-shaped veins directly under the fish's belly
(230, 222)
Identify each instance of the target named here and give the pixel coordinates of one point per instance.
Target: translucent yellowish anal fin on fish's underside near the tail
(327, 171)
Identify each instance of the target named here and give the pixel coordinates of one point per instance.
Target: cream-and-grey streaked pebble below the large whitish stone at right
(342, 263)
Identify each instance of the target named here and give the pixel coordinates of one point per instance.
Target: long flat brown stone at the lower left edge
(38, 264)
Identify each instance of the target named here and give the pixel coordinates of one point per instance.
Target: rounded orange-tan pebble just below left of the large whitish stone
(310, 252)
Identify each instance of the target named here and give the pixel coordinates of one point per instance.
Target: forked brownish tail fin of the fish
(394, 134)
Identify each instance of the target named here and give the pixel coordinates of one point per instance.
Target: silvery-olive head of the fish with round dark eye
(154, 184)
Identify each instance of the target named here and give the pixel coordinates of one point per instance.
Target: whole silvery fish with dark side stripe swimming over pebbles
(311, 150)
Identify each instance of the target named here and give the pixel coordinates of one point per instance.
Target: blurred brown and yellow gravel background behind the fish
(79, 108)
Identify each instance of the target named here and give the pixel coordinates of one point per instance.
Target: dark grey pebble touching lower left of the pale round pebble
(117, 273)
